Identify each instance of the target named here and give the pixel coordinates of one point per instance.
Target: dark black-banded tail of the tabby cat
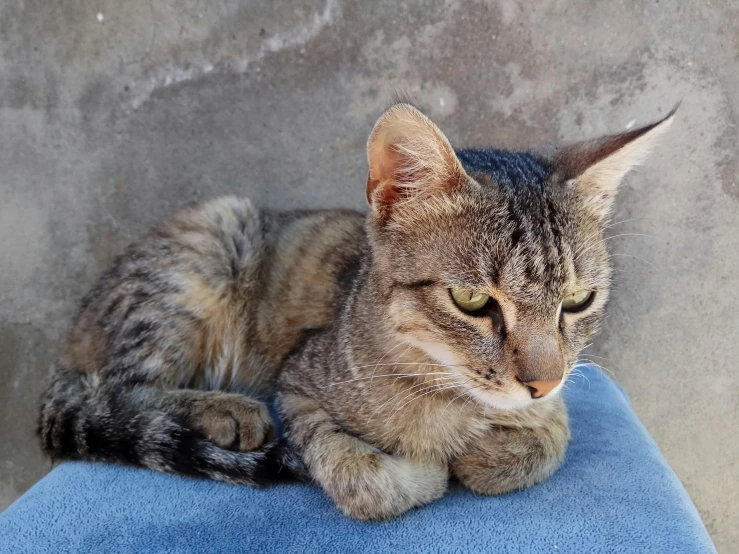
(79, 423)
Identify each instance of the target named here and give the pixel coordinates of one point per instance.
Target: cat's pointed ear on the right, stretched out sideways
(596, 167)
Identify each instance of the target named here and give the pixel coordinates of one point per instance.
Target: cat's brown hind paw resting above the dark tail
(234, 422)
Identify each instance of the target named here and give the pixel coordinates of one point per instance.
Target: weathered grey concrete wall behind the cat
(109, 125)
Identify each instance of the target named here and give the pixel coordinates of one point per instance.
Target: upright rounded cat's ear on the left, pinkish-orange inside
(409, 158)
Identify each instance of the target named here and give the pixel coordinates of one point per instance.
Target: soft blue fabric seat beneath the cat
(615, 493)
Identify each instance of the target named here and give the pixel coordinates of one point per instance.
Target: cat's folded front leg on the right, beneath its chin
(517, 452)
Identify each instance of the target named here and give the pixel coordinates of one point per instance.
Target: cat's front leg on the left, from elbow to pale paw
(364, 482)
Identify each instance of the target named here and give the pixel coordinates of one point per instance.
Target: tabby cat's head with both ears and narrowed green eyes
(494, 263)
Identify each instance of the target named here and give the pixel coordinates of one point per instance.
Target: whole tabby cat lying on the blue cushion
(425, 339)
